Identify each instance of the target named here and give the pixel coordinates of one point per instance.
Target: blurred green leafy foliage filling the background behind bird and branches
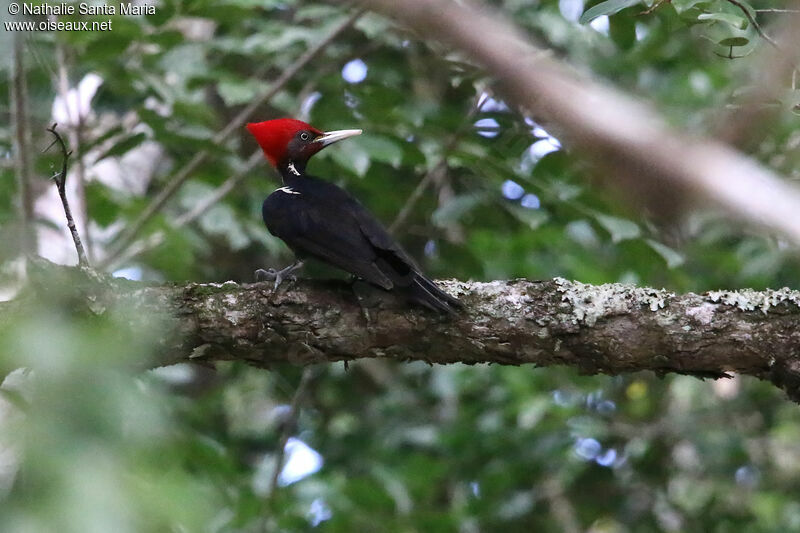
(87, 444)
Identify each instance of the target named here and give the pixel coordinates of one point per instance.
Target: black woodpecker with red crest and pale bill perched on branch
(319, 220)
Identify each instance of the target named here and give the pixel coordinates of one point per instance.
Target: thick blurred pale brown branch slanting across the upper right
(622, 135)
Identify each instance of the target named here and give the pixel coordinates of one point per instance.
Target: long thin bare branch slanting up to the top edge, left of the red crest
(132, 230)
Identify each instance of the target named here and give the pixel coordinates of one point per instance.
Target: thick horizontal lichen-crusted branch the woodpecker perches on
(609, 329)
